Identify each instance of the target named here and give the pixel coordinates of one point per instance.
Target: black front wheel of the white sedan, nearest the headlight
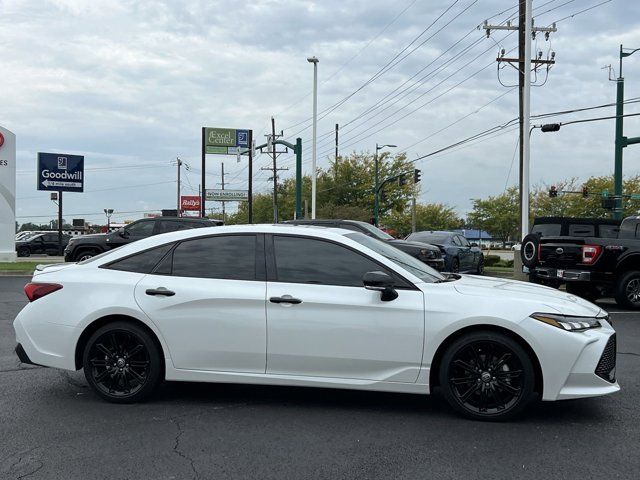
(487, 376)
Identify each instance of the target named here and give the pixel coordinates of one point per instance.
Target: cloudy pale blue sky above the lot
(129, 84)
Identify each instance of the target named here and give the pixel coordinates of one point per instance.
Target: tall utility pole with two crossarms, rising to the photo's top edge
(526, 31)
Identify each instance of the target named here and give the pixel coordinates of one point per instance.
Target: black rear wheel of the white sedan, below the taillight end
(122, 363)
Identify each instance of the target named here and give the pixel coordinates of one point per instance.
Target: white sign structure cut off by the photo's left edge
(7, 196)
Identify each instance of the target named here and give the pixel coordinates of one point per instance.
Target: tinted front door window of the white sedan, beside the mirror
(306, 260)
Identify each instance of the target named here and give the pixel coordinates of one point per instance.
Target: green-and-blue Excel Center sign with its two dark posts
(227, 141)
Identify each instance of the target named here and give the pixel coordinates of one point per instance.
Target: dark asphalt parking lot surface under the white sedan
(53, 427)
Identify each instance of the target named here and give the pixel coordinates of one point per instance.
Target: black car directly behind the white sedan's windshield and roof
(422, 251)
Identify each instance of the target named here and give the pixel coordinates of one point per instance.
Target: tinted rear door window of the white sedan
(231, 257)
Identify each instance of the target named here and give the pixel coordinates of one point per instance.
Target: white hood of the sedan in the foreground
(558, 300)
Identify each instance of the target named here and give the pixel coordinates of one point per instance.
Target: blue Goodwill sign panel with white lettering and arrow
(60, 172)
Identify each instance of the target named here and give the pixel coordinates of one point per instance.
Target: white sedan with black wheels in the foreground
(316, 307)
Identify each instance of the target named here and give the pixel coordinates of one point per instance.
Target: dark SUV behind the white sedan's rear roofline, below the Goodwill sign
(87, 246)
